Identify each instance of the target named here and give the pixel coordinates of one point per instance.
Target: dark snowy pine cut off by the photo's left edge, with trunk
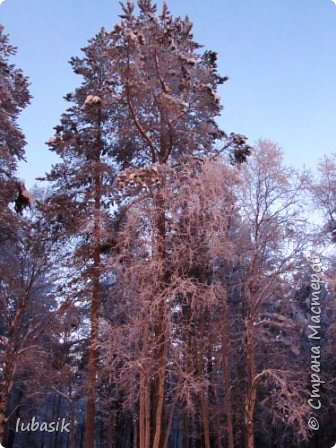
(14, 96)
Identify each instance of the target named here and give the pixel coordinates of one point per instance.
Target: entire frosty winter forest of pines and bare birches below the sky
(167, 284)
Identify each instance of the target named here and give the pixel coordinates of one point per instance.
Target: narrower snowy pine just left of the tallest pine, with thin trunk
(78, 206)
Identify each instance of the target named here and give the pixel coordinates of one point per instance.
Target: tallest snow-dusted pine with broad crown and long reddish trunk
(166, 103)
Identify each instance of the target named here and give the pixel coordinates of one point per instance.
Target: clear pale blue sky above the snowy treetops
(280, 56)
